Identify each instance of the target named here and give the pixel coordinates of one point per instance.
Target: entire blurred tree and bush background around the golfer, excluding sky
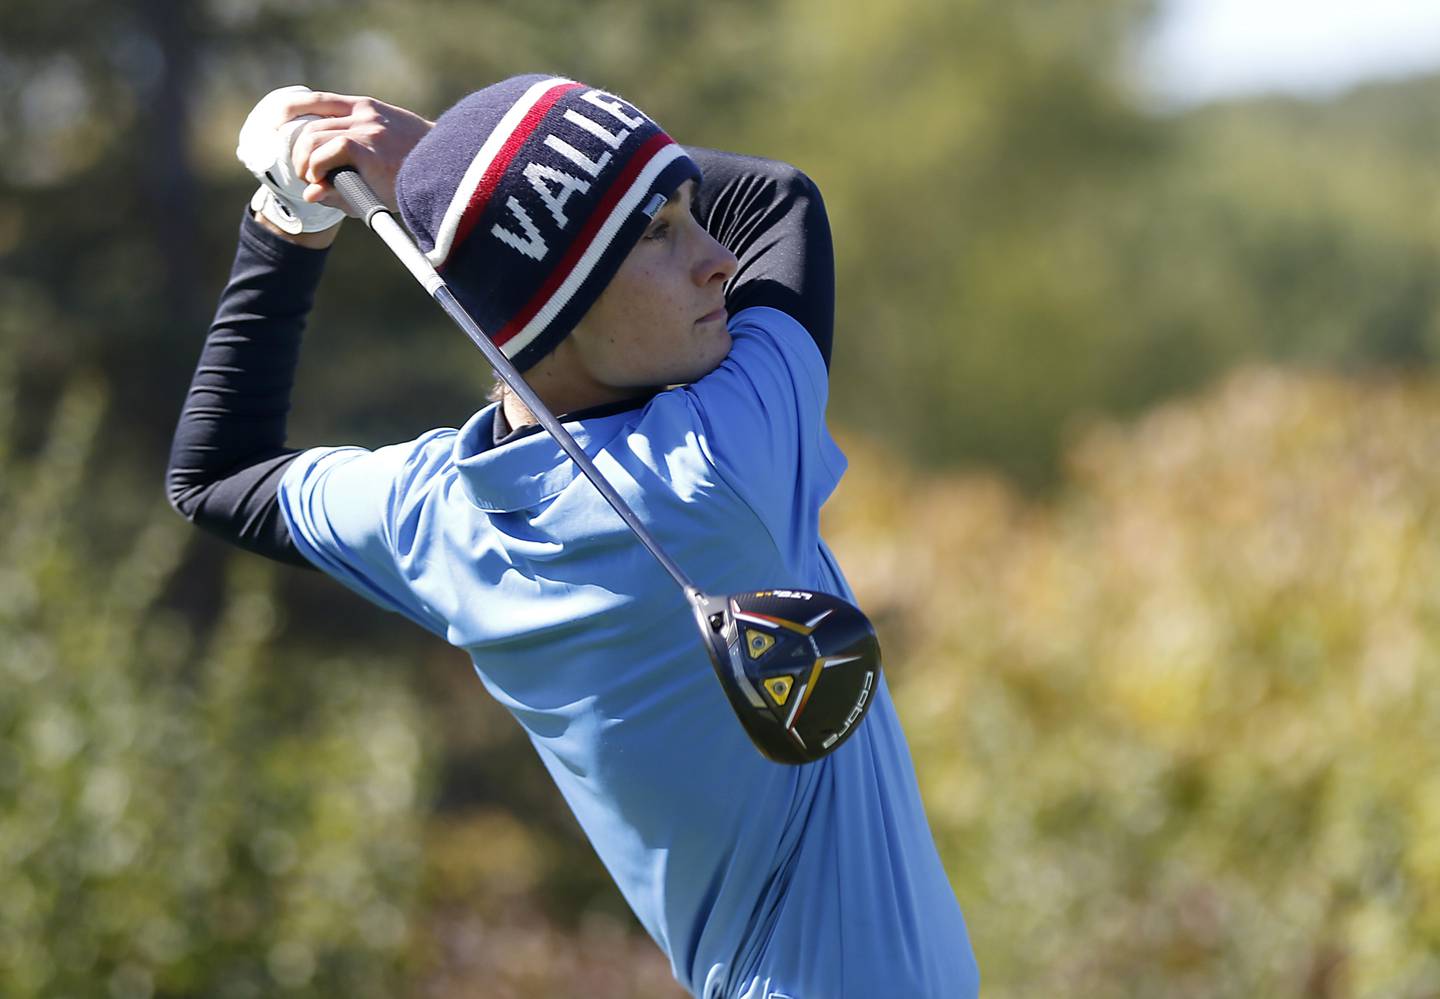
(1138, 404)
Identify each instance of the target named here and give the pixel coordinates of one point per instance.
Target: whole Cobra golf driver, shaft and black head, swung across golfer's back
(798, 667)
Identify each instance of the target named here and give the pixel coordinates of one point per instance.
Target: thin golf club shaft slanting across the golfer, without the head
(384, 224)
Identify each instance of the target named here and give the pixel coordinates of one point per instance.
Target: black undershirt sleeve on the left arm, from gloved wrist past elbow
(230, 447)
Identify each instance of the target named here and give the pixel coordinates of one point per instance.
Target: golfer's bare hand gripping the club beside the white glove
(352, 132)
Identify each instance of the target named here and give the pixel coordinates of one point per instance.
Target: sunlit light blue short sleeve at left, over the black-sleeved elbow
(365, 517)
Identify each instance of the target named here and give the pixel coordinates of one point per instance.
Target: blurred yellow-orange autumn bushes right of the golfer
(1177, 728)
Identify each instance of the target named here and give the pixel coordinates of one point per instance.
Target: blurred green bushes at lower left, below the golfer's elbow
(184, 811)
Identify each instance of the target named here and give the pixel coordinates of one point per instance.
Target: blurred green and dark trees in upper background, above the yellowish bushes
(1020, 240)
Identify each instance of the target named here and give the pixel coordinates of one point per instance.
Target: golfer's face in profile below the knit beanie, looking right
(662, 320)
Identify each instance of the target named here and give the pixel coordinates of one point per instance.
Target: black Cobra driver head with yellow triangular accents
(800, 667)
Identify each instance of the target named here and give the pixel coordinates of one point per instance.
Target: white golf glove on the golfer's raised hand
(264, 148)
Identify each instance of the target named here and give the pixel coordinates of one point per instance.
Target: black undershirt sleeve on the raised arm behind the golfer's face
(773, 218)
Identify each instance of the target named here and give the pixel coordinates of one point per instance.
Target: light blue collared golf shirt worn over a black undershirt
(757, 879)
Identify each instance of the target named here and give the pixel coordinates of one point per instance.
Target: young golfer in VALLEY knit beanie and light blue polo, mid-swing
(676, 307)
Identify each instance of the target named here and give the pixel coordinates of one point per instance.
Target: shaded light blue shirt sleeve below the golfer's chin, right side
(764, 420)
